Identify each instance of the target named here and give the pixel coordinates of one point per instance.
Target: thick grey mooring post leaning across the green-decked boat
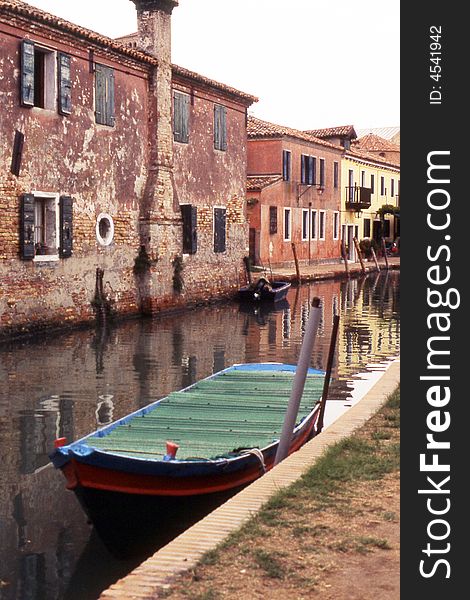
(299, 381)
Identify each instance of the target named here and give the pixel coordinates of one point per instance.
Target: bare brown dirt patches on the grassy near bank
(345, 549)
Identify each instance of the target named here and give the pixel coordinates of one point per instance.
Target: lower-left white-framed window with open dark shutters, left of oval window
(46, 226)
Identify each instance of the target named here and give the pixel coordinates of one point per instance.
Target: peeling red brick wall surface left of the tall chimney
(103, 168)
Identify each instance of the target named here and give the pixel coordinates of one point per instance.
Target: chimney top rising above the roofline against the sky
(154, 27)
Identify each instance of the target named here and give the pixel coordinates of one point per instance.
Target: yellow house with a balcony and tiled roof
(370, 187)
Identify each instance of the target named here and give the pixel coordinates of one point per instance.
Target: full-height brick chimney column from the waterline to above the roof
(160, 217)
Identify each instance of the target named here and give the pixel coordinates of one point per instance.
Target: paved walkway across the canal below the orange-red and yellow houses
(328, 271)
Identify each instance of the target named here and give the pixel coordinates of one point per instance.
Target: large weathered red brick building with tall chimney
(113, 158)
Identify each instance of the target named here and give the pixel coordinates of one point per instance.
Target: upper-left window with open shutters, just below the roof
(38, 78)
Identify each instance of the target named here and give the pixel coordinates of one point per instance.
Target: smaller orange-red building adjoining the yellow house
(293, 195)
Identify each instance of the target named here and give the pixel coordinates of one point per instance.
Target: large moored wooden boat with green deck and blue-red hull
(209, 439)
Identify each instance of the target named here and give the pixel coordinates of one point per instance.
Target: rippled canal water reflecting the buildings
(68, 384)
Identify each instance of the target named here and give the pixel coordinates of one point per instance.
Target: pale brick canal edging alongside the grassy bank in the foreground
(182, 554)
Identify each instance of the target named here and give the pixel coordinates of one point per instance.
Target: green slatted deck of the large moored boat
(236, 409)
